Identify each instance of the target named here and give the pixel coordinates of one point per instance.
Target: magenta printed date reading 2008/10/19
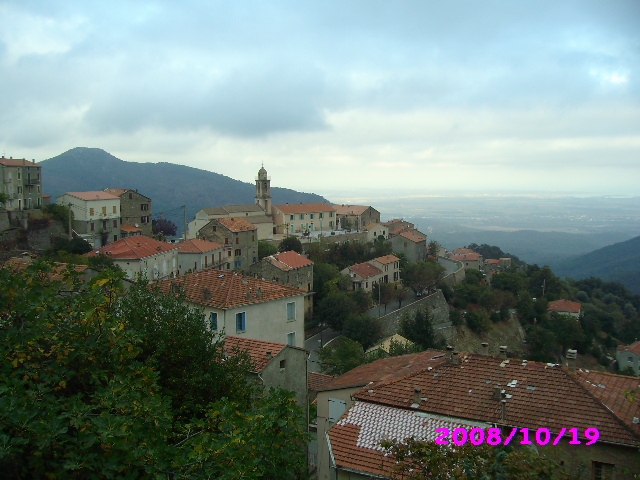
(494, 436)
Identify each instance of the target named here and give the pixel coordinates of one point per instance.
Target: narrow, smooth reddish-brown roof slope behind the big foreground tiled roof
(387, 369)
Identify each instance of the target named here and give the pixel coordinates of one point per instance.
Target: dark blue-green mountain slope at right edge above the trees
(617, 263)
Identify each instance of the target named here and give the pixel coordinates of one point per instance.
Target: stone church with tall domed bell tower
(259, 213)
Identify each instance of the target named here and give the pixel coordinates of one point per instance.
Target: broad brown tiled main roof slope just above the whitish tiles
(538, 396)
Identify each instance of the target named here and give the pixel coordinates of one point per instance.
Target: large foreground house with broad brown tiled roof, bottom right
(412, 395)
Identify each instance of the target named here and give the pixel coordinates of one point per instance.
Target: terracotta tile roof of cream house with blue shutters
(224, 289)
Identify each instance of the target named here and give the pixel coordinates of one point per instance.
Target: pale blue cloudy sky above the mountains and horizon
(335, 97)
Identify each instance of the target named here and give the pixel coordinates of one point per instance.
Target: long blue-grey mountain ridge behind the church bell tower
(169, 186)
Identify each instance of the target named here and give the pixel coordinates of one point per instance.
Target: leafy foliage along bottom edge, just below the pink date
(420, 460)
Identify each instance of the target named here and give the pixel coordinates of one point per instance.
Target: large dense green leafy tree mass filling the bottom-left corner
(100, 384)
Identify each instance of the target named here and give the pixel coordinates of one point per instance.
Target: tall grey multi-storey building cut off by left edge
(22, 183)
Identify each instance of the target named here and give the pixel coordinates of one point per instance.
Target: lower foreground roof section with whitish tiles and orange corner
(355, 438)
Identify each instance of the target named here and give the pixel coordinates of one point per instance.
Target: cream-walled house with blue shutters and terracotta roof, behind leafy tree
(244, 306)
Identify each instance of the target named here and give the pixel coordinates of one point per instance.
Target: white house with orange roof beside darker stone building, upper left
(96, 215)
